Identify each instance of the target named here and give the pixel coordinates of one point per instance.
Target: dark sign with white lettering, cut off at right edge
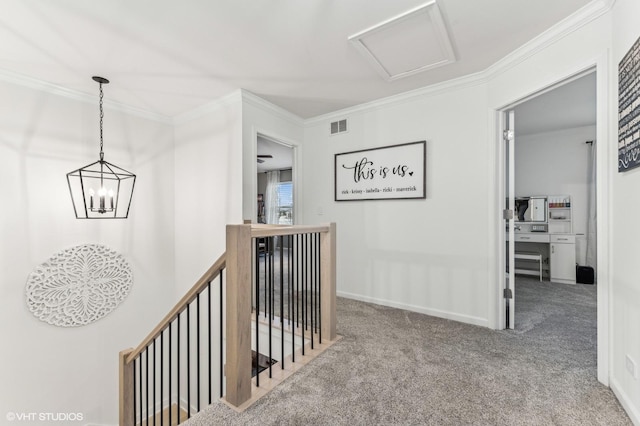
(629, 109)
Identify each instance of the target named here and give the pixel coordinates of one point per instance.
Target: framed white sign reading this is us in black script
(389, 172)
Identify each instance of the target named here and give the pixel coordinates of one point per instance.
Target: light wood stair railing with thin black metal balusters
(242, 249)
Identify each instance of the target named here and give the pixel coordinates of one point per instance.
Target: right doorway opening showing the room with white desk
(549, 187)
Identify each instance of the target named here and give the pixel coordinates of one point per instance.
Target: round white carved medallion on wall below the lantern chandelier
(79, 285)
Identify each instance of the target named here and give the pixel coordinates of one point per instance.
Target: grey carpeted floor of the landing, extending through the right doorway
(395, 367)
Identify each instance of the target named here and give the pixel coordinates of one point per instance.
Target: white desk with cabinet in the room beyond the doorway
(559, 249)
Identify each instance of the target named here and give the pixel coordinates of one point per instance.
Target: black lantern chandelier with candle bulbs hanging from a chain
(101, 190)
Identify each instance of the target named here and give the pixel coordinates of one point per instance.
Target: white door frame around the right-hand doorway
(604, 169)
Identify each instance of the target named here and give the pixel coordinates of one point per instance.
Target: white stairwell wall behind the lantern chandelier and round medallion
(45, 368)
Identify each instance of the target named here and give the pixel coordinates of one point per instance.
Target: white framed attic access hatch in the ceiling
(407, 44)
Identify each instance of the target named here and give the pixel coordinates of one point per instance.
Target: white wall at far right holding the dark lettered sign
(625, 295)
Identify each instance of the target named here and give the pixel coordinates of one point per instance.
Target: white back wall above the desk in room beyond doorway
(556, 163)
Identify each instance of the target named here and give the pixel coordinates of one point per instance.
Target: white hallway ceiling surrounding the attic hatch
(168, 57)
